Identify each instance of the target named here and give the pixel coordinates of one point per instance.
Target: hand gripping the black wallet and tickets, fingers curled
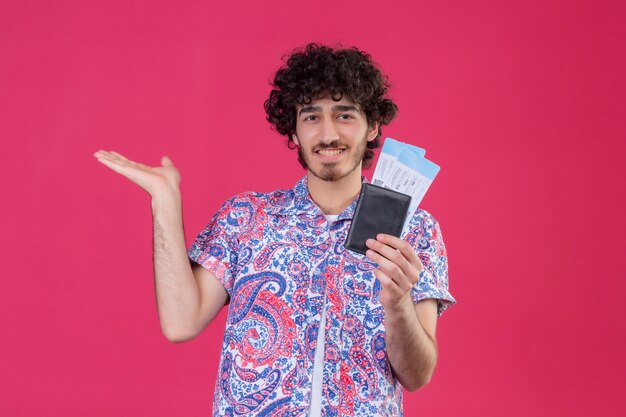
(399, 269)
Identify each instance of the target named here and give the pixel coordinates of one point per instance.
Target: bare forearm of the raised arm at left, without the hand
(177, 294)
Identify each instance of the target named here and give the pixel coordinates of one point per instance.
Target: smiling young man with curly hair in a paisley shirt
(313, 329)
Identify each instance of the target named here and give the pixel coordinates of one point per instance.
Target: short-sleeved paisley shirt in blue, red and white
(277, 258)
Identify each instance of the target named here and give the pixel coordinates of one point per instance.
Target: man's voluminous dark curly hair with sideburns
(319, 71)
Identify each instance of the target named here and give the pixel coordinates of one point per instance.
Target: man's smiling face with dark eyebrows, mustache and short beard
(332, 137)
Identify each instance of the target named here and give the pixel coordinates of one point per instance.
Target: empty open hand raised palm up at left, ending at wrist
(153, 180)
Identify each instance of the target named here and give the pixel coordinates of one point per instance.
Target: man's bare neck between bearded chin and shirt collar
(334, 196)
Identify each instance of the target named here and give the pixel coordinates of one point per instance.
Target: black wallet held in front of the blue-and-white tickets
(379, 210)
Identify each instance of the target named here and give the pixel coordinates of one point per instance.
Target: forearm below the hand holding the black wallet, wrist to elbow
(412, 352)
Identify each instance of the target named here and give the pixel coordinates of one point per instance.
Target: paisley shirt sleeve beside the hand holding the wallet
(427, 241)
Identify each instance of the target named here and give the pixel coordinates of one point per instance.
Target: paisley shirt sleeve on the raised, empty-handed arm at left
(216, 247)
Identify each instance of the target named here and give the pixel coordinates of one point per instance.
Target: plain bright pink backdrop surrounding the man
(522, 103)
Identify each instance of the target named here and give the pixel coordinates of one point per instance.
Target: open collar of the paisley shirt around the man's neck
(298, 201)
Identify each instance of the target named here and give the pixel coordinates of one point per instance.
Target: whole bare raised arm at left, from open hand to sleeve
(187, 300)
